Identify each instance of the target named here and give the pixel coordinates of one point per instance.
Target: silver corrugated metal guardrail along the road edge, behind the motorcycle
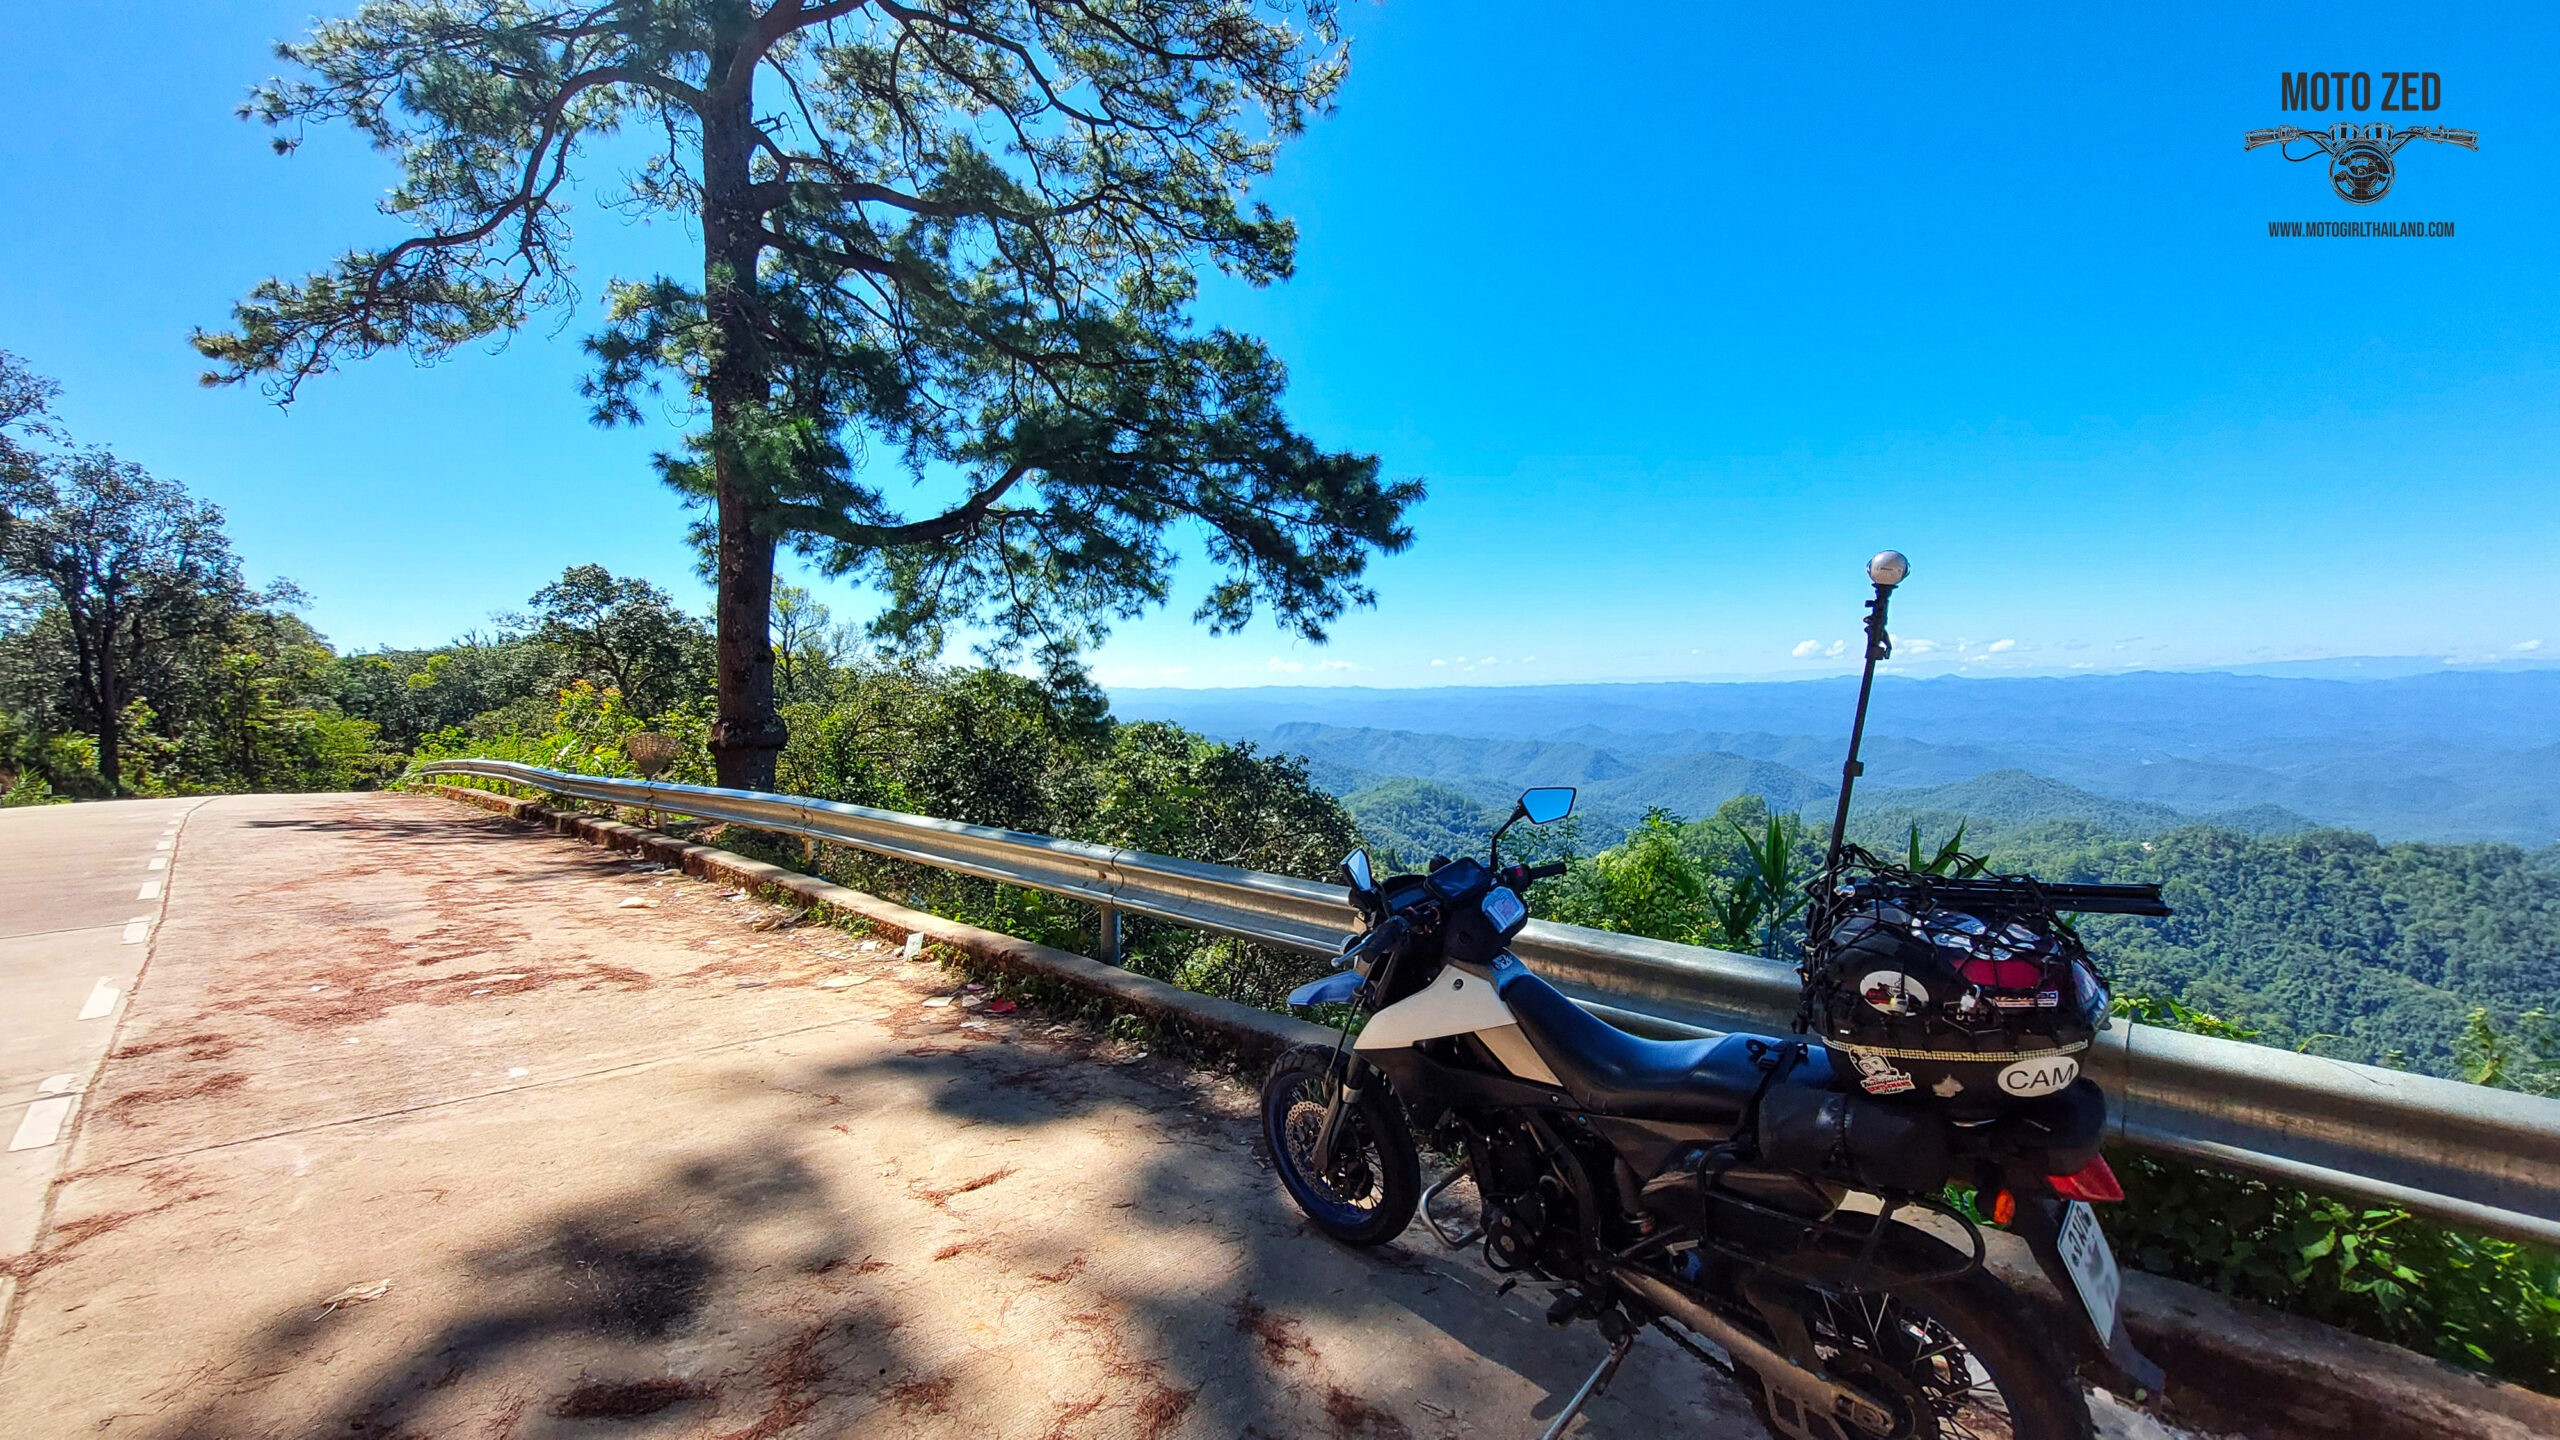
(2474, 1157)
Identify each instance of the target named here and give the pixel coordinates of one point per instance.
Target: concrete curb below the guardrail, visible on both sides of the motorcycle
(2234, 1367)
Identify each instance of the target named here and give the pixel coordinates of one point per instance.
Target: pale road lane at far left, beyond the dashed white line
(81, 890)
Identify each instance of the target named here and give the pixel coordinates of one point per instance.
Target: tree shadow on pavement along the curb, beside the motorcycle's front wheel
(1245, 1329)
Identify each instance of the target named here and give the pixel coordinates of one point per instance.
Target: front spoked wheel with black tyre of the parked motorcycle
(1366, 1198)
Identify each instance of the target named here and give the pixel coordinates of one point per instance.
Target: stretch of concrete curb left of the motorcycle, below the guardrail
(1251, 1036)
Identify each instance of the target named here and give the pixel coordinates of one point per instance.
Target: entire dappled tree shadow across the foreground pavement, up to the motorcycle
(1140, 1277)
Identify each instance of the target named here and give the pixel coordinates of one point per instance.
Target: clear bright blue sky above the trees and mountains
(1681, 311)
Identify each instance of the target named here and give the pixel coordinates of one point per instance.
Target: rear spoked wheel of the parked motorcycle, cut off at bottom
(1949, 1362)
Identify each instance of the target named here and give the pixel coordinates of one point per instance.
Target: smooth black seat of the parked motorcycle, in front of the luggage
(1612, 1072)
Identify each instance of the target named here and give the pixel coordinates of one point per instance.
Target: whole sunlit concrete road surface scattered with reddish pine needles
(426, 1126)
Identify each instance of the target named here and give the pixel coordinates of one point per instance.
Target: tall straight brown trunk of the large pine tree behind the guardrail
(749, 734)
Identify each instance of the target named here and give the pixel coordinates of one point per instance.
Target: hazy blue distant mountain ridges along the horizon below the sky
(2428, 757)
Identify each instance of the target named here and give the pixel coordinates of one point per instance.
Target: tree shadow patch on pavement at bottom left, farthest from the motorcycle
(577, 1321)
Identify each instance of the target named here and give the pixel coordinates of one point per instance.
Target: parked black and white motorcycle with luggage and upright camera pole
(1775, 1206)
